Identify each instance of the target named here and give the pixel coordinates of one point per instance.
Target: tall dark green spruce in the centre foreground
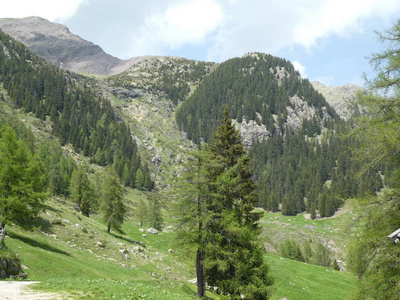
(234, 257)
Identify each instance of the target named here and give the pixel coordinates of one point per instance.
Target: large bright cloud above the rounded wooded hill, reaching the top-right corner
(270, 26)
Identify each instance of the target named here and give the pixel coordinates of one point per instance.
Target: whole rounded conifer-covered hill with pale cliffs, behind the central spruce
(300, 162)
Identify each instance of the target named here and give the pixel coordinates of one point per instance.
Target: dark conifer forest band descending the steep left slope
(78, 116)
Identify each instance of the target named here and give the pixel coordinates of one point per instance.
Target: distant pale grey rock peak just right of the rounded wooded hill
(341, 98)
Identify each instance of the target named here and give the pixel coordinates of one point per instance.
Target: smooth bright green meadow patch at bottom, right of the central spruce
(297, 280)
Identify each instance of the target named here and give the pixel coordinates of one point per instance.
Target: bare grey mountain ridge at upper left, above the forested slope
(56, 44)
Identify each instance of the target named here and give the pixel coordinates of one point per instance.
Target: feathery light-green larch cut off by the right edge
(374, 257)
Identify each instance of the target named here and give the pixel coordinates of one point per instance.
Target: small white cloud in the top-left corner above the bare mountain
(49, 9)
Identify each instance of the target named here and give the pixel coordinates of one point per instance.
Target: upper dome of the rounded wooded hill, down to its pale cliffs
(259, 89)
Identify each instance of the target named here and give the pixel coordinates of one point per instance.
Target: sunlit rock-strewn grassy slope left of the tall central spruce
(66, 258)
